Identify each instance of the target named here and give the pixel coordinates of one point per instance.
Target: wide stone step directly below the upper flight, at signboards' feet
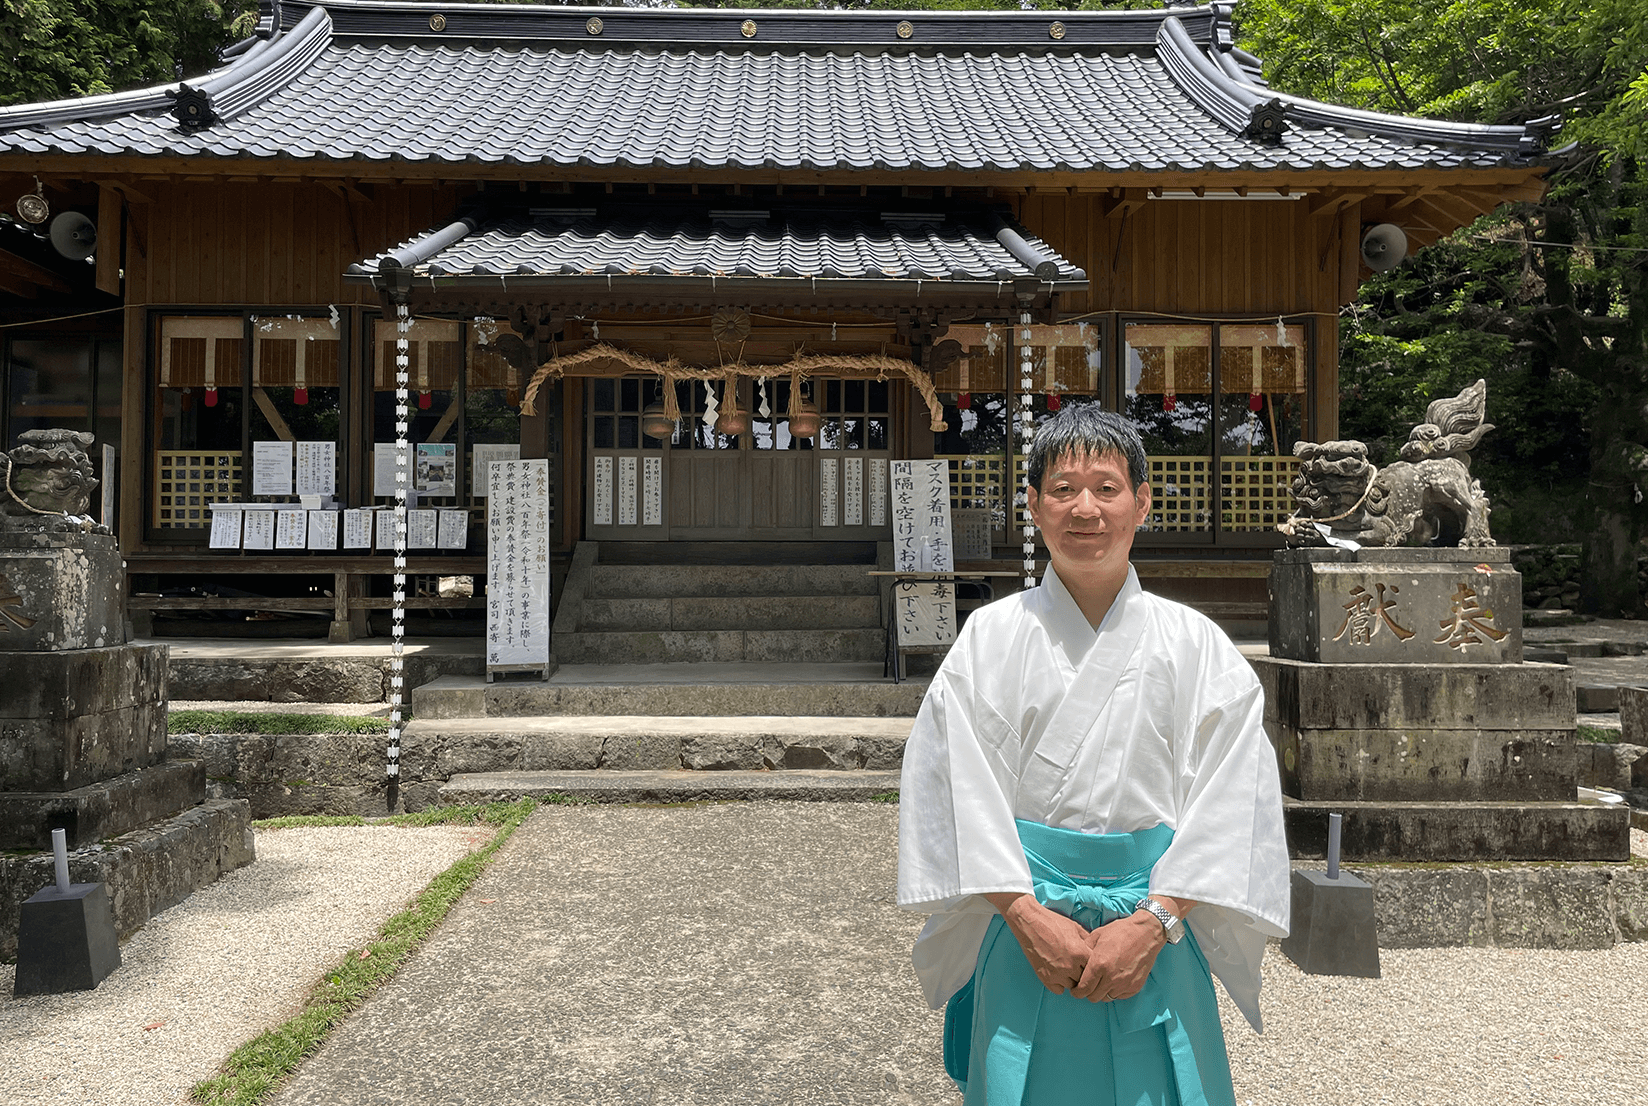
(830, 690)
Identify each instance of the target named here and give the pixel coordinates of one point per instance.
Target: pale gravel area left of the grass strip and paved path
(220, 968)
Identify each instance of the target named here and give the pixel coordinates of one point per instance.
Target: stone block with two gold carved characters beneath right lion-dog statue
(1397, 607)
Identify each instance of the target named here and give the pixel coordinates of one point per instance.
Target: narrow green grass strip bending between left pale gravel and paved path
(258, 1067)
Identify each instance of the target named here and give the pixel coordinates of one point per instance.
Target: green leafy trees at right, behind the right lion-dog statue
(1550, 301)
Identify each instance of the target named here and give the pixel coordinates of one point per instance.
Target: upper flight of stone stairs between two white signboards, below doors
(672, 614)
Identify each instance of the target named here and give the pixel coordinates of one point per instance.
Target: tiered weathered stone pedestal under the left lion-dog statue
(83, 741)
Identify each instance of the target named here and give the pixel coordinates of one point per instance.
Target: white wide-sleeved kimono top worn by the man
(1153, 718)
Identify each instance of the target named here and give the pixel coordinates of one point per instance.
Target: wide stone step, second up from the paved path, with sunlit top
(447, 747)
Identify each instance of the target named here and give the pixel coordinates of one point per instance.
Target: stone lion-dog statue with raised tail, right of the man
(1428, 499)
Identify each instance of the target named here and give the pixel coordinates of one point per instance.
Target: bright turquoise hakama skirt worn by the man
(1013, 1043)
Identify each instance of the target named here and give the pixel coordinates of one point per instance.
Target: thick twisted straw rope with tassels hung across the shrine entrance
(798, 368)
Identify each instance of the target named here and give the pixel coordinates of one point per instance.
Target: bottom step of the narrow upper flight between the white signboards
(681, 647)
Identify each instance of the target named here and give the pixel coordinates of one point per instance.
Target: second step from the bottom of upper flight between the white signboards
(772, 612)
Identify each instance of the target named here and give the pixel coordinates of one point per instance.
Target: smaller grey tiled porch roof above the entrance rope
(548, 245)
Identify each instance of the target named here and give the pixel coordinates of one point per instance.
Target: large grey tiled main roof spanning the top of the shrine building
(645, 88)
